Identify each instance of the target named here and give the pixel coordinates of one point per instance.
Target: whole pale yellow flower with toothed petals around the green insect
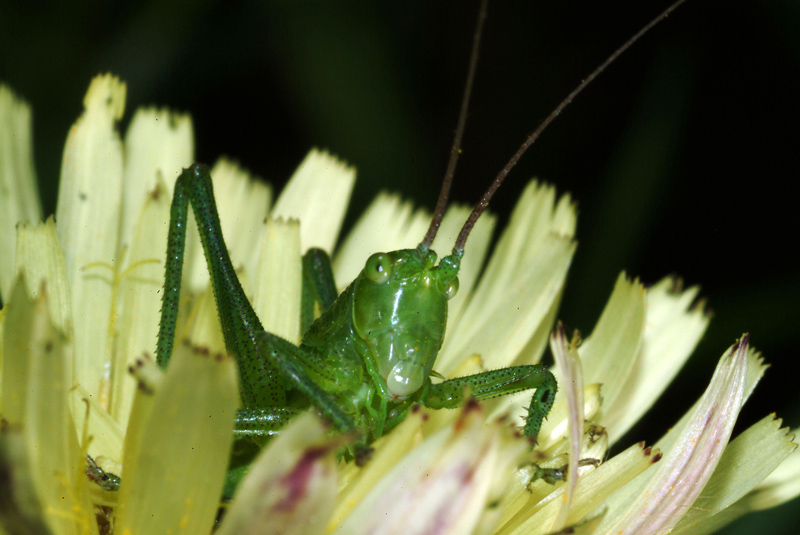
(83, 296)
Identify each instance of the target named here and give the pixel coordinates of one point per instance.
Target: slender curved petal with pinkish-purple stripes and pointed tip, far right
(689, 465)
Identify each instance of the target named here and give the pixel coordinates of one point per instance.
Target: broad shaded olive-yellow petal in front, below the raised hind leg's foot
(177, 448)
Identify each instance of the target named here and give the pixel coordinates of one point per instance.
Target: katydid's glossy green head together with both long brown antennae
(400, 298)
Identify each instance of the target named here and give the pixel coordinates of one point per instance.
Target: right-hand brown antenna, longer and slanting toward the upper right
(458, 248)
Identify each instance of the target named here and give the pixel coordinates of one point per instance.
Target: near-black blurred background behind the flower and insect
(682, 156)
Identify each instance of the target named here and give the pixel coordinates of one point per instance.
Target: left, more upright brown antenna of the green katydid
(455, 150)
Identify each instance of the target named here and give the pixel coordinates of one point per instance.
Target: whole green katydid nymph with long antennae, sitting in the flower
(370, 355)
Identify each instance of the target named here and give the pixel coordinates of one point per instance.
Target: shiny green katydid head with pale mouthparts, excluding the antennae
(400, 311)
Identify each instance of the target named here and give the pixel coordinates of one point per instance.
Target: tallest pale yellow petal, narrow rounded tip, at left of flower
(89, 198)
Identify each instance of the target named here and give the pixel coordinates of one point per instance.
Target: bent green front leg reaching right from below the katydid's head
(487, 385)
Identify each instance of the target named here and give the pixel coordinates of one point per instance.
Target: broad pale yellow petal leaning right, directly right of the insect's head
(507, 312)
